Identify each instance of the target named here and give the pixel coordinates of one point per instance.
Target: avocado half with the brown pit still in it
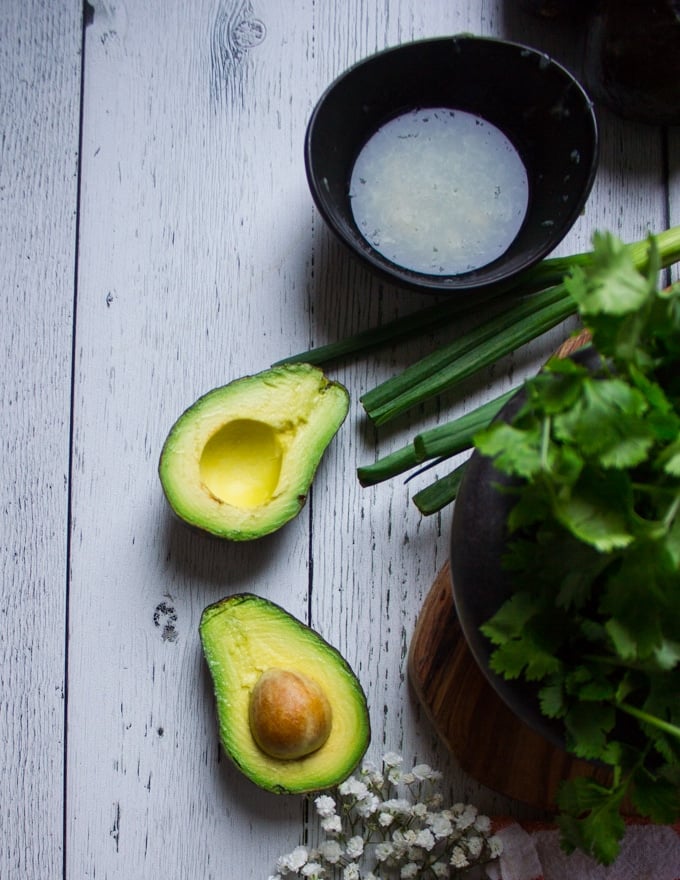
(292, 714)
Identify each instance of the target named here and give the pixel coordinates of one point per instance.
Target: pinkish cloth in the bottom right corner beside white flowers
(531, 851)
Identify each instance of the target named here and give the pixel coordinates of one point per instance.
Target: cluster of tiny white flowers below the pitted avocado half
(389, 823)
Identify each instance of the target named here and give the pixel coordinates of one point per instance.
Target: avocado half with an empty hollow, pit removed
(239, 462)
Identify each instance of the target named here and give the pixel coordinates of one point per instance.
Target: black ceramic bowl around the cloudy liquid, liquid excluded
(535, 102)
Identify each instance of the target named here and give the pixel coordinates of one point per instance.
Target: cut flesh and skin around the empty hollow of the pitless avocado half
(302, 410)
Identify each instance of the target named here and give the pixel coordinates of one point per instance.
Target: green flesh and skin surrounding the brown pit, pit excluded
(245, 635)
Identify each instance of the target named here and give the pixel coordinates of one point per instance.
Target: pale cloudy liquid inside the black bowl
(439, 191)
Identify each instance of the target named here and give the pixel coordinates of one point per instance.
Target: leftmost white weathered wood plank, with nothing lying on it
(39, 115)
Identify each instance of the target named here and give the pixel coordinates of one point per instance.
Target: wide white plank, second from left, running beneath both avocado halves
(193, 272)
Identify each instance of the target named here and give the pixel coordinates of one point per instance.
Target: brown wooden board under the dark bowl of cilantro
(491, 744)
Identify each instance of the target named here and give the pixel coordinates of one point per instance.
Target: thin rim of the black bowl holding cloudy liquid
(463, 281)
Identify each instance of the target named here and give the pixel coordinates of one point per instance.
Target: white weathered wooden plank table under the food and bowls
(157, 238)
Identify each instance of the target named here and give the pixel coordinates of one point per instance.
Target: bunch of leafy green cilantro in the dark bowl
(594, 547)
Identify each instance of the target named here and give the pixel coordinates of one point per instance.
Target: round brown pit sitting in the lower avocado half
(289, 714)
